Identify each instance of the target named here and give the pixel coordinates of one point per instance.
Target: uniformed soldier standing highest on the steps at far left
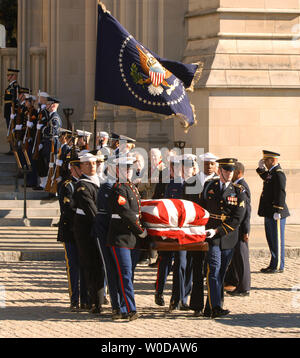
(11, 97)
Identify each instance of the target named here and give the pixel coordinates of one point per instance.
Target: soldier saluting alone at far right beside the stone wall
(273, 208)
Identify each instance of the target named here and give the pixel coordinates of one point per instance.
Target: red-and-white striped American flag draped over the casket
(177, 219)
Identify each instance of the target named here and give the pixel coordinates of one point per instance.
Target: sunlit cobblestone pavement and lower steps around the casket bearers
(34, 300)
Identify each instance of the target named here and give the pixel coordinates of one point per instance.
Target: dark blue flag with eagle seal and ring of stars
(128, 74)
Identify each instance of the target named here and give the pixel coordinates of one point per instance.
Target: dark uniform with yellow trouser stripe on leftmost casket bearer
(76, 279)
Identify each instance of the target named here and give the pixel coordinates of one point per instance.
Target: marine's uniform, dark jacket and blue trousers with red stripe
(124, 237)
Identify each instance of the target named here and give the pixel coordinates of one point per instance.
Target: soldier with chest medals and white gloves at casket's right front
(225, 202)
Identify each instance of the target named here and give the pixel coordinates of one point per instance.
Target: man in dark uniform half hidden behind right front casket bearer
(239, 269)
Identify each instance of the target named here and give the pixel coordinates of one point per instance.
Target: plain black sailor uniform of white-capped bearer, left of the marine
(85, 198)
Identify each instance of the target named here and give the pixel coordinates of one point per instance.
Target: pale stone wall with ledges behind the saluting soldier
(248, 97)
